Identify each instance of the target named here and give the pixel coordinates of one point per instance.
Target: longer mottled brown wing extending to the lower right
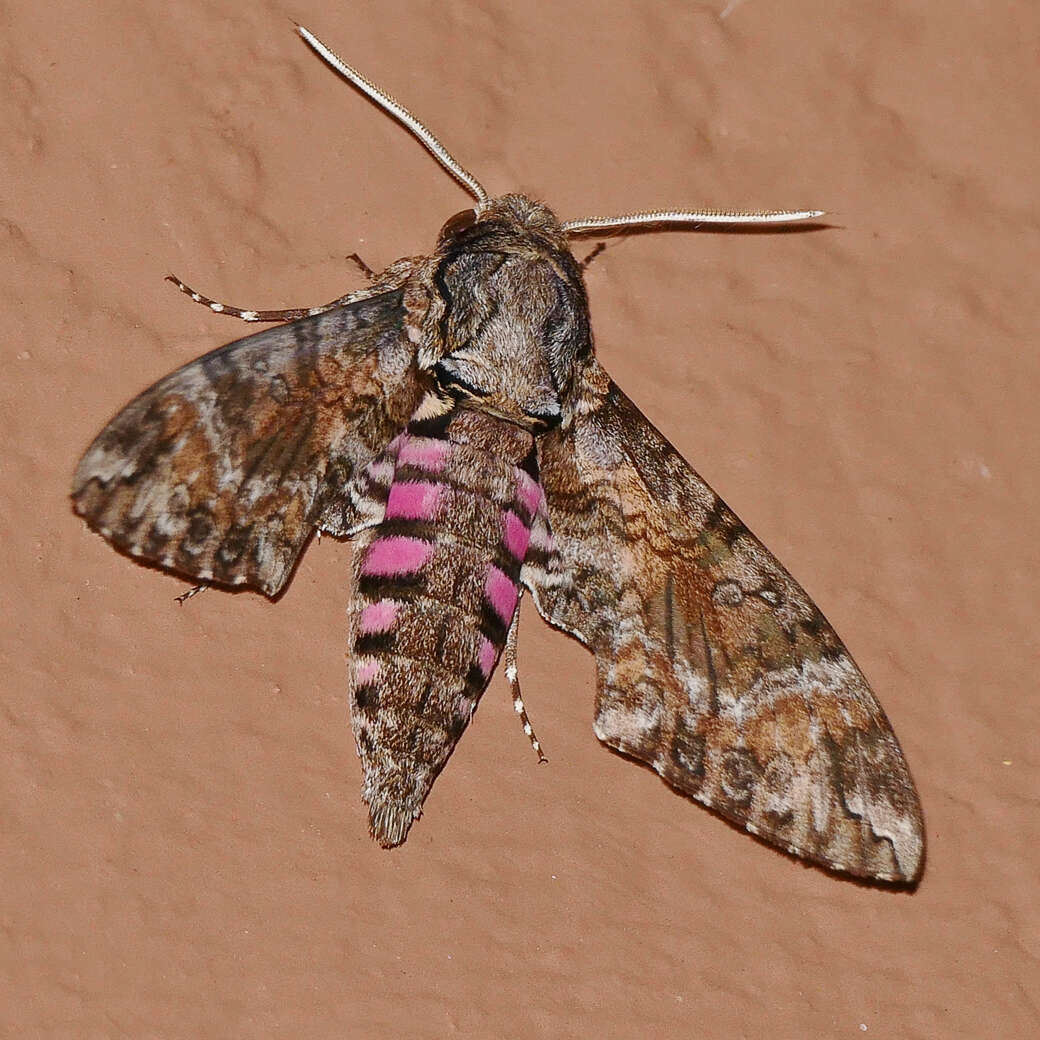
(714, 666)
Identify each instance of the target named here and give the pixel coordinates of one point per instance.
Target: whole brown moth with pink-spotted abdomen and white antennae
(453, 419)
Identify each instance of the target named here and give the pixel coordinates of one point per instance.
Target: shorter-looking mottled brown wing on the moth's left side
(223, 470)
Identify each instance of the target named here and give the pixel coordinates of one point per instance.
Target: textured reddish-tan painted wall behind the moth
(184, 851)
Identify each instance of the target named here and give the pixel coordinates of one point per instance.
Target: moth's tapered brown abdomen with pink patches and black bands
(436, 587)
